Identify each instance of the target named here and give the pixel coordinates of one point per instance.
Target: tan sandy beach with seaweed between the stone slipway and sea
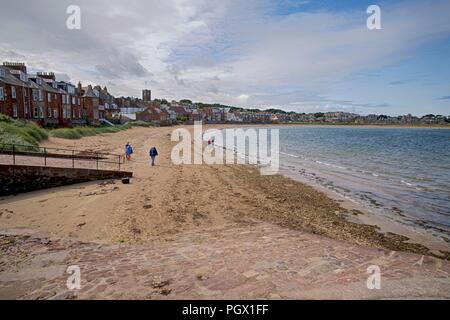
(188, 197)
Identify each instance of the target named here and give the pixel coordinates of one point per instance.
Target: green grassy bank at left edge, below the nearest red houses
(20, 133)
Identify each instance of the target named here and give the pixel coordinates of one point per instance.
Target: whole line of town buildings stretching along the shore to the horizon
(41, 98)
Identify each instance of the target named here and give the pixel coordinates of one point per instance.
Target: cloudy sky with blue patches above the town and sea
(303, 56)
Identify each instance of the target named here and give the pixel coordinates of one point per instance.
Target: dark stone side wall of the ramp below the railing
(18, 179)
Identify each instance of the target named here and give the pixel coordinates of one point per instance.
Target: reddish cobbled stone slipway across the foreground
(256, 261)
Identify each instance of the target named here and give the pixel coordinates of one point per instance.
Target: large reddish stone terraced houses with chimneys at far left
(41, 98)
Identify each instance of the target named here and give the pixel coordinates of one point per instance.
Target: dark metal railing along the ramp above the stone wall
(19, 154)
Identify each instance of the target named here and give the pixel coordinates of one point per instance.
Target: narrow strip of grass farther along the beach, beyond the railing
(79, 132)
